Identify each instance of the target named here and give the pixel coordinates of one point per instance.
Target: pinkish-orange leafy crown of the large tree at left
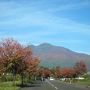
(16, 59)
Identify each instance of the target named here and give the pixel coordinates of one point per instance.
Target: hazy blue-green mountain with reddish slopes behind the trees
(51, 55)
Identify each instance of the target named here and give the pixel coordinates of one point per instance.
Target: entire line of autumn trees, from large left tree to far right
(17, 59)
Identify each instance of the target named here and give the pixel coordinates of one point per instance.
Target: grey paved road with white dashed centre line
(53, 85)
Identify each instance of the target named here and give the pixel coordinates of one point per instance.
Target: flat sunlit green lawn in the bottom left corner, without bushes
(8, 86)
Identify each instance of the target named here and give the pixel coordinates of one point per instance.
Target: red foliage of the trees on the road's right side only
(79, 69)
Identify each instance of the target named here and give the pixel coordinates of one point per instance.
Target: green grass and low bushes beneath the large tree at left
(6, 82)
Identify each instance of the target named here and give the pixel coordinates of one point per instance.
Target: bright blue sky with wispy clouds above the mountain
(59, 22)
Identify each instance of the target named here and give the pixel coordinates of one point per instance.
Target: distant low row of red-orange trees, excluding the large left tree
(77, 70)
